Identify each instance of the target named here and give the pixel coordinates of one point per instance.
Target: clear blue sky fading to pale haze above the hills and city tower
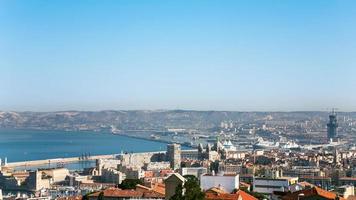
(204, 55)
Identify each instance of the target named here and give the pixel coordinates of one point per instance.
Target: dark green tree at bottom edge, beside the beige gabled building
(191, 190)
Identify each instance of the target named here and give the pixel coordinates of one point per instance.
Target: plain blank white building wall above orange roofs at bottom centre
(227, 182)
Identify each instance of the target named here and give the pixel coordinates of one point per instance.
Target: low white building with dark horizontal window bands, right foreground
(270, 185)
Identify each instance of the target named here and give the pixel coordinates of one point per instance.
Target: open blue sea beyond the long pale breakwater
(23, 145)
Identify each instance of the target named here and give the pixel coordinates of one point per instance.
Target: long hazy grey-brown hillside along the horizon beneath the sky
(141, 119)
